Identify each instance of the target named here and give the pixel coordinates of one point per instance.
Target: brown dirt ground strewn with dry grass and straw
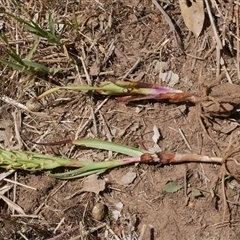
(121, 40)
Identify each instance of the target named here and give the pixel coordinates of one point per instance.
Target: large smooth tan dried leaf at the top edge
(193, 15)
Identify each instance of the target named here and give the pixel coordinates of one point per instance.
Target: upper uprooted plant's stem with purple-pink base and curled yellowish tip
(127, 91)
